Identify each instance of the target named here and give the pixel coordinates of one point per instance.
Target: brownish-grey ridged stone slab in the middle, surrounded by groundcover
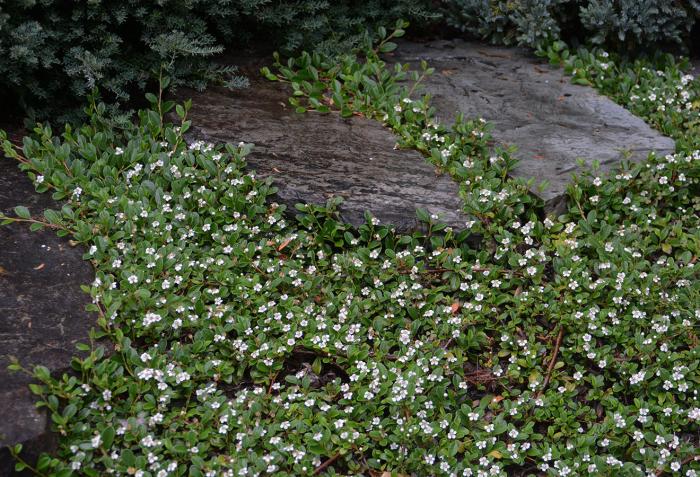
(314, 156)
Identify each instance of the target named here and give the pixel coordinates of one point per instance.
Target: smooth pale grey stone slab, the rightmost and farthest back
(534, 107)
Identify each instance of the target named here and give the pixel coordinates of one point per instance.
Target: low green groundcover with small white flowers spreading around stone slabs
(249, 343)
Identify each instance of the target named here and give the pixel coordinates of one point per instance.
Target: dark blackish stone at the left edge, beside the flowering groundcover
(42, 313)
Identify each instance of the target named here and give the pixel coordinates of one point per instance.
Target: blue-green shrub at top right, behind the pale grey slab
(624, 25)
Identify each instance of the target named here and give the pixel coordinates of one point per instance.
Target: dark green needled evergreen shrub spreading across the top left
(52, 52)
